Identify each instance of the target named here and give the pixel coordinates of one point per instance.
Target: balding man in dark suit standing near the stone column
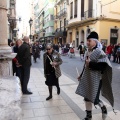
(24, 60)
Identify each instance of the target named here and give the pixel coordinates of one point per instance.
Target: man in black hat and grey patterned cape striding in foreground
(96, 76)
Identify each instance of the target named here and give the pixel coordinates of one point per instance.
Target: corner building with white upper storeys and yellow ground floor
(86, 16)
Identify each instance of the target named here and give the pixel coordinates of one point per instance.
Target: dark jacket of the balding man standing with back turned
(23, 55)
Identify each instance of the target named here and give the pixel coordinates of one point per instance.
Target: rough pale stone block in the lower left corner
(10, 98)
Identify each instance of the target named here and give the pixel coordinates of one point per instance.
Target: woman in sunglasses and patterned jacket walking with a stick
(52, 72)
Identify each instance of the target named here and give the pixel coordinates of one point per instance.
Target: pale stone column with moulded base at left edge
(6, 54)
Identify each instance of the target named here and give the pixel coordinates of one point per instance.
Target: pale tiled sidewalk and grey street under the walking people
(67, 105)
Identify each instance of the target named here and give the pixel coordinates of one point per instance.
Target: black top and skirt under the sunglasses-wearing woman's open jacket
(51, 79)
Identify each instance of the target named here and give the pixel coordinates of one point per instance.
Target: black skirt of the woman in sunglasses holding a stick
(51, 80)
